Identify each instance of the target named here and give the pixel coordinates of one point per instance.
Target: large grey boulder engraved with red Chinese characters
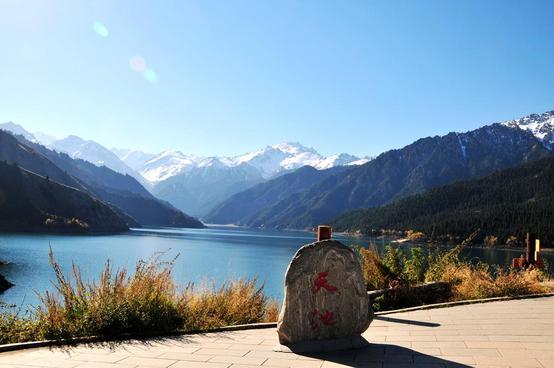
(326, 306)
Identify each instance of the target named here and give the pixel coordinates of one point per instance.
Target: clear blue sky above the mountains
(228, 77)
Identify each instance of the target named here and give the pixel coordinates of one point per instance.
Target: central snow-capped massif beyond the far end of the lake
(197, 184)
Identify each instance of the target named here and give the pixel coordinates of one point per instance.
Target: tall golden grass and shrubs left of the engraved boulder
(148, 301)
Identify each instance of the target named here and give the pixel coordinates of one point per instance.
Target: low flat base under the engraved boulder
(321, 346)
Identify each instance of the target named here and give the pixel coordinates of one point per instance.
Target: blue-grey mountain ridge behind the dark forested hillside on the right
(424, 164)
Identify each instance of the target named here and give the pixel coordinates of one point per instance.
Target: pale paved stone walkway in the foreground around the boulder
(516, 333)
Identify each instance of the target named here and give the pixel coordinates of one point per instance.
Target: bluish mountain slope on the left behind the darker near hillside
(122, 193)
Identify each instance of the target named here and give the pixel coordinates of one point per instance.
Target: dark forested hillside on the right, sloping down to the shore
(504, 204)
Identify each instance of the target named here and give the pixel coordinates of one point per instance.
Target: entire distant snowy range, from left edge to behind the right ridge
(192, 183)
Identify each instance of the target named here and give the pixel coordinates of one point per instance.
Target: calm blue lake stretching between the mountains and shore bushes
(214, 254)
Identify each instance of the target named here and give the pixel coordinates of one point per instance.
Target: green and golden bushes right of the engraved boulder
(433, 275)
